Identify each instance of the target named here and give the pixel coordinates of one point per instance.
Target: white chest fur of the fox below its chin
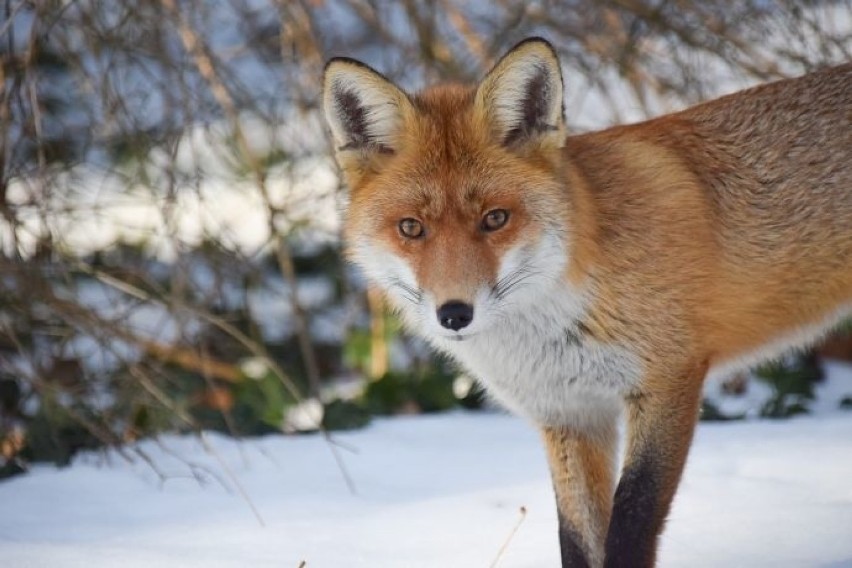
(536, 362)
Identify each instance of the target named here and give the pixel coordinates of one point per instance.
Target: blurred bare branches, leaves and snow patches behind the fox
(169, 249)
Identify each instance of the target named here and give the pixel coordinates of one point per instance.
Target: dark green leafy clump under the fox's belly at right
(792, 383)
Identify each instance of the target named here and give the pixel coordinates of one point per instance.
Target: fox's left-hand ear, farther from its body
(364, 110)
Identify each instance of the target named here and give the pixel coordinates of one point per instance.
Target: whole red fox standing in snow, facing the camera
(585, 278)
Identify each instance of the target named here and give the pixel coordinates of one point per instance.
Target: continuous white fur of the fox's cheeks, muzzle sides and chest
(524, 343)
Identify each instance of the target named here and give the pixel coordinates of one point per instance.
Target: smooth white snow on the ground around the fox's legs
(441, 490)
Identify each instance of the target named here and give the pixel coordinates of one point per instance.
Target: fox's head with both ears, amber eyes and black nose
(457, 207)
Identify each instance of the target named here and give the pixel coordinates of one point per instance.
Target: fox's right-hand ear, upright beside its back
(521, 97)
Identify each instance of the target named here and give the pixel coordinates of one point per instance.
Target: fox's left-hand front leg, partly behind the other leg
(582, 468)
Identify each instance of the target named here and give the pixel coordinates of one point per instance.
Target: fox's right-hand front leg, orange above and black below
(661, 420)
